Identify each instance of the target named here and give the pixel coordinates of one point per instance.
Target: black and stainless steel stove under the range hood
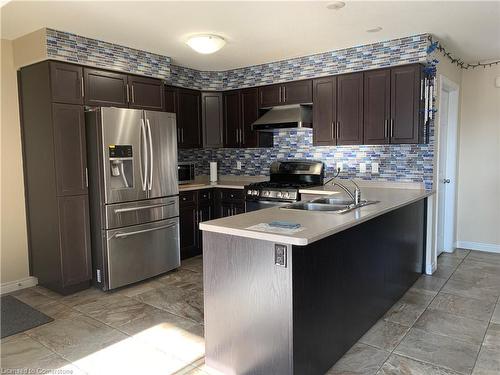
(286, 178)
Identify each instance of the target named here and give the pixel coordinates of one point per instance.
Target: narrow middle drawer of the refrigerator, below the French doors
(140, 212)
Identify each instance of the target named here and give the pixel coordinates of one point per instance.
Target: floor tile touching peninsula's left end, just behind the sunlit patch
(181, 302)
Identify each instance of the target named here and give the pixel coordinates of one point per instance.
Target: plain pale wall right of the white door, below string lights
(478, 219)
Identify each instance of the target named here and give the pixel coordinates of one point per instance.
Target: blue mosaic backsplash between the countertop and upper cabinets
(402, 163)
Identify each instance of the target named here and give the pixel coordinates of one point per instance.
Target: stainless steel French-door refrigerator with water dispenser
(134, 203)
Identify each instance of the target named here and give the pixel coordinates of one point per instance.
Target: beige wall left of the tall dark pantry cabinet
(14, 248)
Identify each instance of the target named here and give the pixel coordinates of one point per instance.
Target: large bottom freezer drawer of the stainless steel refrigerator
(138, 252)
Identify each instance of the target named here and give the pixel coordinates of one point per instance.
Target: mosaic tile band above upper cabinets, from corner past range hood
(370, 56)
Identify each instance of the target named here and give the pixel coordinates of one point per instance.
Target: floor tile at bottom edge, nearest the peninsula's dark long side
(360, 360)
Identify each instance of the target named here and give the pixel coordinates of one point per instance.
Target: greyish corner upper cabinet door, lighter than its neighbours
(212, 119)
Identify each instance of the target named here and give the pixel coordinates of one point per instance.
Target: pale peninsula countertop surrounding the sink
(316, 225)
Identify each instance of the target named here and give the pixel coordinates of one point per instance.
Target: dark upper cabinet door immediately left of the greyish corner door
(189, 118)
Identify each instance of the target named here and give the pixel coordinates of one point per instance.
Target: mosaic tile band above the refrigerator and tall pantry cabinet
(86, 51)
